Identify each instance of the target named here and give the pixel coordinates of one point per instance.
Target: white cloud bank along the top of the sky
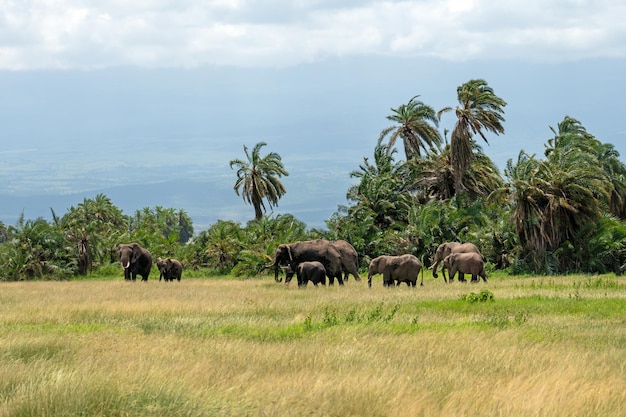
(46, 34)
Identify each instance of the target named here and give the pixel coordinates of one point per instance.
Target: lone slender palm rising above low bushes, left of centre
(258, 178)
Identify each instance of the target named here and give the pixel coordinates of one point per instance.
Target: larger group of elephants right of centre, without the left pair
(314, 260)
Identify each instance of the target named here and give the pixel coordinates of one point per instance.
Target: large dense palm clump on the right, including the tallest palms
(564, 212)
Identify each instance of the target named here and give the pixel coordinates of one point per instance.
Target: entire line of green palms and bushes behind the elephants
(563, 211)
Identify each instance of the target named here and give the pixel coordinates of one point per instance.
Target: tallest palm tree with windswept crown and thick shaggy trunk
(479, 111)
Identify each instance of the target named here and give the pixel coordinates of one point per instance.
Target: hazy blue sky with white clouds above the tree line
(102, 94)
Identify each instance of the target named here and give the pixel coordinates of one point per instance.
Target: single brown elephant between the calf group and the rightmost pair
(403, 268)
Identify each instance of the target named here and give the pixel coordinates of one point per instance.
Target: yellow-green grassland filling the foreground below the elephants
(531, 346)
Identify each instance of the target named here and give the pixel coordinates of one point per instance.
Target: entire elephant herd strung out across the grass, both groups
(315, 260)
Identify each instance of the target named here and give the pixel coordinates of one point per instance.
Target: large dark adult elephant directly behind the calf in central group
(309, 250)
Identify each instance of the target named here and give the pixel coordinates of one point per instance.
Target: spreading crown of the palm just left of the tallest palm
(417, 126)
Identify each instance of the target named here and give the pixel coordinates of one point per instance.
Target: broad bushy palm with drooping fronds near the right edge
(556, 200)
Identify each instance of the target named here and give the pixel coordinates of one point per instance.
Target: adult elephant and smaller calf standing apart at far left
(138, 261)
